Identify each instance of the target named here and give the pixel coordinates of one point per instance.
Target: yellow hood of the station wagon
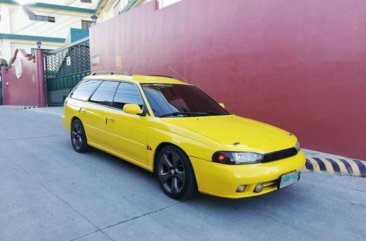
(235, 133)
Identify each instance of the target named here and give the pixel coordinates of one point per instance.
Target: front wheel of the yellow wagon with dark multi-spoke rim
(175, 173)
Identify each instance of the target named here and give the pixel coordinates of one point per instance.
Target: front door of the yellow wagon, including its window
(129, 132)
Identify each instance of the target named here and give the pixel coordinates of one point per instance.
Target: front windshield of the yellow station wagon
(169, 100)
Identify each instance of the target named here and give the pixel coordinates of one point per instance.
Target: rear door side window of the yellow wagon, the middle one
(105, 92)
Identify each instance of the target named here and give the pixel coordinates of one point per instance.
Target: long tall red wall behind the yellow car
(299, 65)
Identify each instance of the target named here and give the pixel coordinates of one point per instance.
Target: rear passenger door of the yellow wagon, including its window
(97, 110)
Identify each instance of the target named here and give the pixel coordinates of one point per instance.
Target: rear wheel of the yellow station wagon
(78, 137)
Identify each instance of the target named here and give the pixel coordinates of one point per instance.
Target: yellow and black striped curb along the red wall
(343, 166)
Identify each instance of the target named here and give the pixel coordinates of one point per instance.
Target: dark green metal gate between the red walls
(64, 68)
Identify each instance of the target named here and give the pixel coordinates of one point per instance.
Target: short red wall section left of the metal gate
(28, 90)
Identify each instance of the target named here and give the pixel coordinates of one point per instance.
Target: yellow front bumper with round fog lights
(222, 180)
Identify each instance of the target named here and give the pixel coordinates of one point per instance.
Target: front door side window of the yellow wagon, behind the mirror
(127, 93)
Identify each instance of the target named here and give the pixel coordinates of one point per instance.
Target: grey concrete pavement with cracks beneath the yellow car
(50, 192)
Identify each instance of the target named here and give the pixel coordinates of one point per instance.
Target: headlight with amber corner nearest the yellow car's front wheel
(233, 158)
